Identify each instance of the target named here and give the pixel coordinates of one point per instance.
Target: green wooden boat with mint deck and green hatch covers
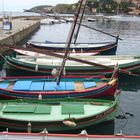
(56, 115)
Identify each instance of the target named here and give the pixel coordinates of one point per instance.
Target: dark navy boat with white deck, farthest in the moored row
(104, 48)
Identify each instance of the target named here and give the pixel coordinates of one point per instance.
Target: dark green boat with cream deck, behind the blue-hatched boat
(44, 65)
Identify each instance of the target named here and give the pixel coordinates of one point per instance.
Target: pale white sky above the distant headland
(19, 5)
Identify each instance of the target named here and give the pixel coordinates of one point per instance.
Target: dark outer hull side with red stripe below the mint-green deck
(56, 126)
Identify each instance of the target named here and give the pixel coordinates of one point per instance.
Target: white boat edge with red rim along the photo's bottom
(81, 136)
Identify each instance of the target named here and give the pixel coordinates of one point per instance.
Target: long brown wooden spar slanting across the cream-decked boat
(70, 58)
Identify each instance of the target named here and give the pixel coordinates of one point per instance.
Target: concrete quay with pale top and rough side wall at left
(21, 28)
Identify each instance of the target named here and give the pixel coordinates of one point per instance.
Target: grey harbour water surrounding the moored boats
(128, 29)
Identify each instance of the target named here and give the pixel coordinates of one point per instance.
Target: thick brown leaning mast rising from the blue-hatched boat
(70, 37)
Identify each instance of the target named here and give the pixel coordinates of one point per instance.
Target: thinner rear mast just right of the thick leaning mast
(80, 21)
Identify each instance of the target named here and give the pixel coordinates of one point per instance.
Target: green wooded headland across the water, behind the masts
(103, 6)
